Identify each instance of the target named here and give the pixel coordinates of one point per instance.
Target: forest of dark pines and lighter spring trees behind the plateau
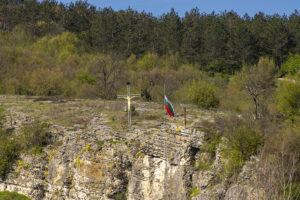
(76, 50)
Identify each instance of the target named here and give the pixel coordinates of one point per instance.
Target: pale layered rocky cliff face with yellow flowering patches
(97, 162)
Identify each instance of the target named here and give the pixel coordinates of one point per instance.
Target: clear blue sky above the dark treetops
(158, 7)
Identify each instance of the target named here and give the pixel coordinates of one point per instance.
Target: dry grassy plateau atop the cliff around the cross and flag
(79, 112)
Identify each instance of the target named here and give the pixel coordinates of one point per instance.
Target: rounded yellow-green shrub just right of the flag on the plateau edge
(203, 95)
